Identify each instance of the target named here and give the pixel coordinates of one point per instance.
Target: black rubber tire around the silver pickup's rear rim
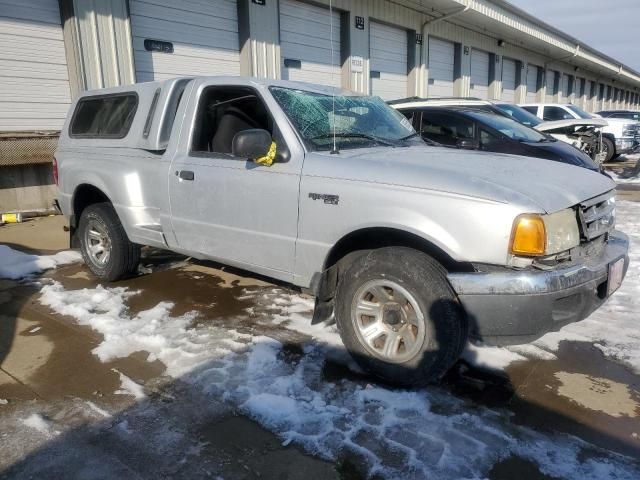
(124, 255)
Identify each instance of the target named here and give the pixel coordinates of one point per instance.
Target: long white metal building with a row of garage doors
(53, 49)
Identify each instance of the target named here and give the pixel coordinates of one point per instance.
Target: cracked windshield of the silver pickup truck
(358, 121)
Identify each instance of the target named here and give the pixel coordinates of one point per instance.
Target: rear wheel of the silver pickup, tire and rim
(104, 244)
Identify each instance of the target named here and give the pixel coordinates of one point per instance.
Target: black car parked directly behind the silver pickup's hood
(485, 127)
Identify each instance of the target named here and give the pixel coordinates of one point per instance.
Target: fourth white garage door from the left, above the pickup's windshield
(388, 61)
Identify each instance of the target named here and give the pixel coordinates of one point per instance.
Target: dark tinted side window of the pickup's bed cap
(104, 116)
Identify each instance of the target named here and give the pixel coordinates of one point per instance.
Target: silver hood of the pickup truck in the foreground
(534, 184)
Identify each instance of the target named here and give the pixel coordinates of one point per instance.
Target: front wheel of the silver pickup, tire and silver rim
(399, 317)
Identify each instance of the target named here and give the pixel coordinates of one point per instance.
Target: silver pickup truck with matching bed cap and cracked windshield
(411, 248)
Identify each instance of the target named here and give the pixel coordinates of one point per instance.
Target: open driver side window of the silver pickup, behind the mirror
(222, 113)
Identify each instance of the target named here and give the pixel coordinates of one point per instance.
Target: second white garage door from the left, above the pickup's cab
(203, 36)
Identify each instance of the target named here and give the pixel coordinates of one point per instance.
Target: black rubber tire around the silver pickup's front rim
(425, 280)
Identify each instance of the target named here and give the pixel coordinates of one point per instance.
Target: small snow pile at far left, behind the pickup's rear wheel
(15, 264)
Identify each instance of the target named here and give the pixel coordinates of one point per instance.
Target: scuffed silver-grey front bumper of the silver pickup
(509, 306)
